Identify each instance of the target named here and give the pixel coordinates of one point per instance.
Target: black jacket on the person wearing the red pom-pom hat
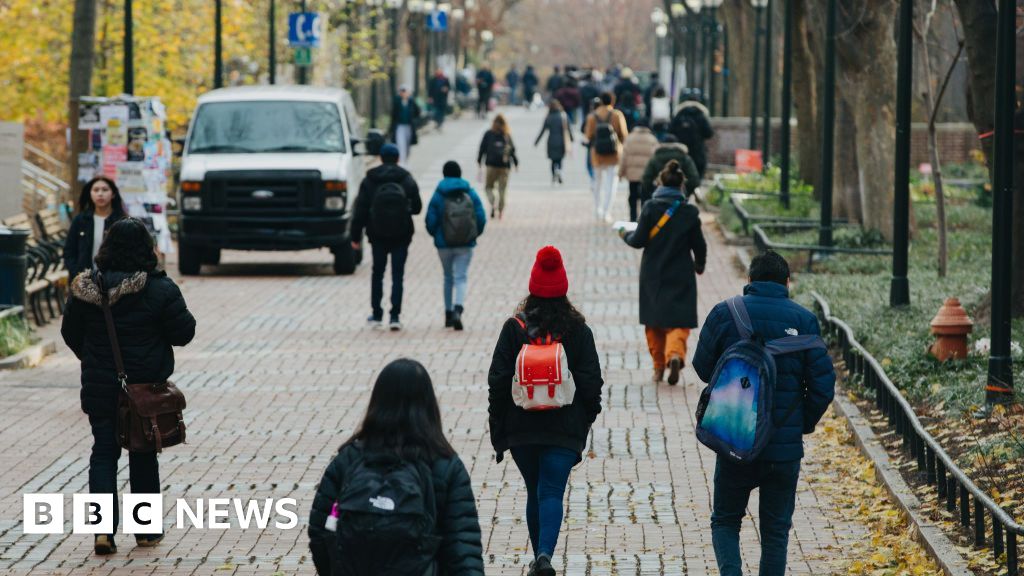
(566, 428)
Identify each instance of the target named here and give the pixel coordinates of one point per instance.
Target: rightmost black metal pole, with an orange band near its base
(1001, 379)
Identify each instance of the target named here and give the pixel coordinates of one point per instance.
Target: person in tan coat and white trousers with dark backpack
(606, 133)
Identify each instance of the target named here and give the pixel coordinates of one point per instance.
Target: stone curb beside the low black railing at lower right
(930, 536)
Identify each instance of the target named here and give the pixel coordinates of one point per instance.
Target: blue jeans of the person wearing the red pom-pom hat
(546, 471)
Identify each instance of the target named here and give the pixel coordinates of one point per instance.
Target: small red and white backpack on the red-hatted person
(543, 380)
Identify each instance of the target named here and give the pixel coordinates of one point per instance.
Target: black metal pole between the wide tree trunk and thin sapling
(900, 289)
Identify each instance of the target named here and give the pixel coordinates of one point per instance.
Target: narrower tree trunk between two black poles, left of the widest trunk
(805, 96)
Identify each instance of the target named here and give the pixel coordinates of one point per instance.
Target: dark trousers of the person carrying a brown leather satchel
(144, 473)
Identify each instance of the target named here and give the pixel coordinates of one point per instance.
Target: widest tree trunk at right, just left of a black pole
(871, 78)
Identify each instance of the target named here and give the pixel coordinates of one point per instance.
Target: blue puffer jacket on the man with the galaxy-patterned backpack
(810, 374)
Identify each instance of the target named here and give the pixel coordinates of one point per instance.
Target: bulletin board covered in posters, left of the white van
(127, 142)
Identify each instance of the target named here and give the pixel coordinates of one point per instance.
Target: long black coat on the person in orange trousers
(668, 280)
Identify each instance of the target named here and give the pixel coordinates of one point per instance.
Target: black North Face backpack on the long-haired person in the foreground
(388, 519)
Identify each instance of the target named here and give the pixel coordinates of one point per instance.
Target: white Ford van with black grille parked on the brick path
(270, 169)
